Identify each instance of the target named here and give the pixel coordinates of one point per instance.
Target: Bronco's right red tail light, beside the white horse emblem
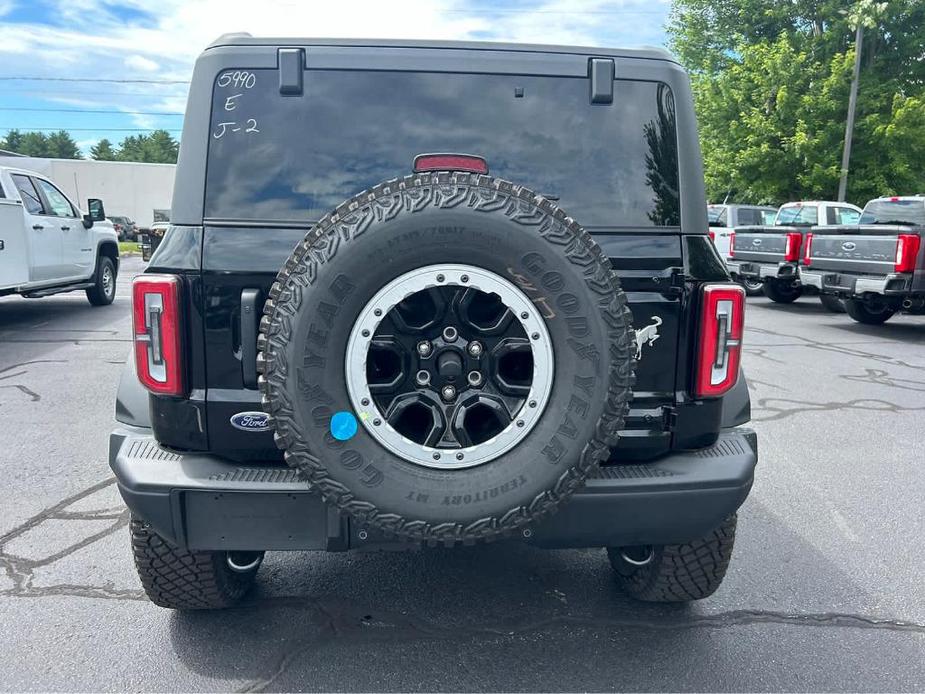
(722, 320)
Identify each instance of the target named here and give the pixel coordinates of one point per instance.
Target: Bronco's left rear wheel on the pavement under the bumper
(185, 580)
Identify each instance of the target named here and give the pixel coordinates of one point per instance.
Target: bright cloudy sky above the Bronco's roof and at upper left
(94, 40)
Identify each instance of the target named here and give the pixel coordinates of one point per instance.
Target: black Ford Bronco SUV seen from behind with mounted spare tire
(433, 294)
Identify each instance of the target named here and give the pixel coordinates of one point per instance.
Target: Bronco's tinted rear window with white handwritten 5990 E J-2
(293, 158)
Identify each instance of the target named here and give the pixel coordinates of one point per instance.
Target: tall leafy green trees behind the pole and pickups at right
(771, 81)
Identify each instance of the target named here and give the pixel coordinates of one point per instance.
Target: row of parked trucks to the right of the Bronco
(868, 263)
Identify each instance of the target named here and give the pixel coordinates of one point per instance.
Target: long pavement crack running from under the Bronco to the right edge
(345, 624)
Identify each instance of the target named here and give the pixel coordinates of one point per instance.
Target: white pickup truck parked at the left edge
(48, 246)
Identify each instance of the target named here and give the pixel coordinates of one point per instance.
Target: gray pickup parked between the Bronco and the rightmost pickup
(772, 254)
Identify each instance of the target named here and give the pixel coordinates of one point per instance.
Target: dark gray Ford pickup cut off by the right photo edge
(878, 266)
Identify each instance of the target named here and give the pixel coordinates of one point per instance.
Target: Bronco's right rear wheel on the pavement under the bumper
(675, 573)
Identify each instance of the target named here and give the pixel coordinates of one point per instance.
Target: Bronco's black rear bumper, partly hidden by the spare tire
(203, 502)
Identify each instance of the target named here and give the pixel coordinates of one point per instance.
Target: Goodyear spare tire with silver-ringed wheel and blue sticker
(446, 357)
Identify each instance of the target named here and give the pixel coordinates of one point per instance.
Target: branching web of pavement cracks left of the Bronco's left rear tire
(21, 570)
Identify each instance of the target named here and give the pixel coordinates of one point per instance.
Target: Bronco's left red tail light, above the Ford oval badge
(156, 314)
